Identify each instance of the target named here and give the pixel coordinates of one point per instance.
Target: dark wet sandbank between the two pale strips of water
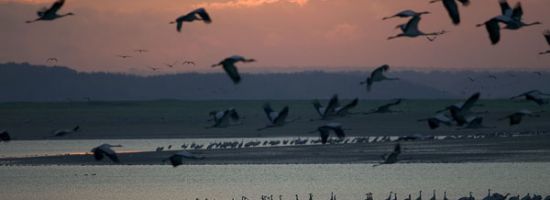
(492, 149)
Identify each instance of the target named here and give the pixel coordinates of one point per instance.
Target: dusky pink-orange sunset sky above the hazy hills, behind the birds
(282, 35)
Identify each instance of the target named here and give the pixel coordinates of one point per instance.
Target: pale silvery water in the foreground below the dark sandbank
(232, 181)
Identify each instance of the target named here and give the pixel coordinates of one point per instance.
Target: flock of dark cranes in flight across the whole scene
(459, 114)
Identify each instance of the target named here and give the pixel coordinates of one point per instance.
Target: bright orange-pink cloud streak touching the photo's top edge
(248, 3)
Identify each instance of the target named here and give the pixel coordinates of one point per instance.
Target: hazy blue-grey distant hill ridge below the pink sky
(24, 82)
